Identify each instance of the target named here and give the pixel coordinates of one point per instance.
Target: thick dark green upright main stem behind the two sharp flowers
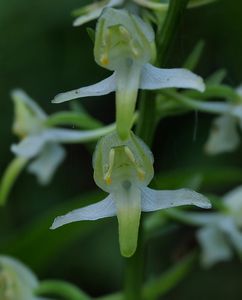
(145, 129)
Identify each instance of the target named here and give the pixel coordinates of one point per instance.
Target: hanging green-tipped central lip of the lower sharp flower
(128, 202)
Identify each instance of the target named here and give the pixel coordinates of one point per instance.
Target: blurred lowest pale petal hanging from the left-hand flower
(47, 162)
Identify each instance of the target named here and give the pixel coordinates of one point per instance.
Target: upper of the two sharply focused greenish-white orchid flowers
(125, 44)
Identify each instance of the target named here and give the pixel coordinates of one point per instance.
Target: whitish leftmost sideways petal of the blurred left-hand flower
(30, 146)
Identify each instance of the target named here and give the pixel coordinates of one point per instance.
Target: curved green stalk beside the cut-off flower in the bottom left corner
(61, 288)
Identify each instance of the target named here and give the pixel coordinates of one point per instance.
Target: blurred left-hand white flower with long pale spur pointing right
(40, 142)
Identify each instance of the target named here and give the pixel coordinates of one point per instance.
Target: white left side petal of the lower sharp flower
(103, 209)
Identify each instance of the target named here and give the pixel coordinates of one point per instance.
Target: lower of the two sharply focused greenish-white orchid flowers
(124, 169)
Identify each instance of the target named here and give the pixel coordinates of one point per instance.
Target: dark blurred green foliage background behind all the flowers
(42, 53)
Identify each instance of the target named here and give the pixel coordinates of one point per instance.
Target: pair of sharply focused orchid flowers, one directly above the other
(123, 164)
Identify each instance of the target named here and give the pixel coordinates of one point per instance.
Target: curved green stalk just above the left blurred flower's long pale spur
(80, 120)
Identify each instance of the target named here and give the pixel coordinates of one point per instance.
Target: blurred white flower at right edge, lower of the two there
(220, 232)
